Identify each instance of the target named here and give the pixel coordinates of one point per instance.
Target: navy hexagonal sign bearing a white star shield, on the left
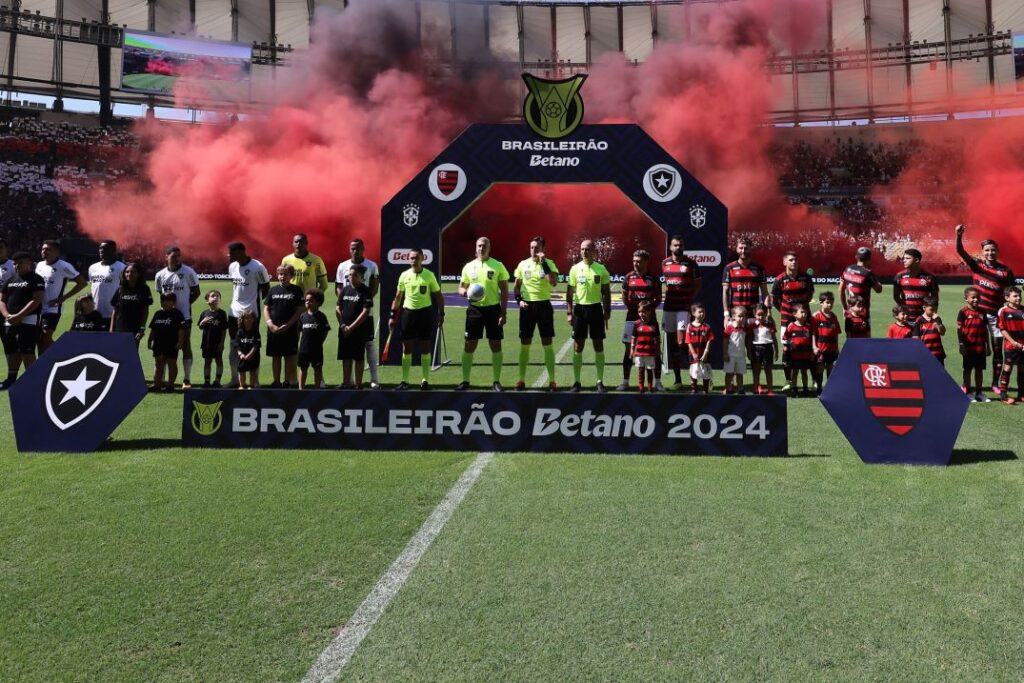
(77, 394)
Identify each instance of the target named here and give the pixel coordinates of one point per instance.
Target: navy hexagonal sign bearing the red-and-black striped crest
(895, 403)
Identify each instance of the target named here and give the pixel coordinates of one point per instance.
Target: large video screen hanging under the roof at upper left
(158, 64)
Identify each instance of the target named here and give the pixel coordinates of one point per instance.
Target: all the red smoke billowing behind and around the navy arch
(367, 110)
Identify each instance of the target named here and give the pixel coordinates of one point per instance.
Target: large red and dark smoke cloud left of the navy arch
(353, 124)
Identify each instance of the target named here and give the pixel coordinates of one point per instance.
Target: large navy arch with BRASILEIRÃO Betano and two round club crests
(620, 154)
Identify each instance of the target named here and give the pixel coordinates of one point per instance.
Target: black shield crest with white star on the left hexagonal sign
(76, 388)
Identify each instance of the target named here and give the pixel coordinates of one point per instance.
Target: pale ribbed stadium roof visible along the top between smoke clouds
(870, 59)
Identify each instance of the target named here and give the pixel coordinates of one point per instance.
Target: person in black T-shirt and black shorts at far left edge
(21, 302)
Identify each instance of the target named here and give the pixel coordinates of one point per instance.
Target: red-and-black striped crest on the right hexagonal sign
(894, 395)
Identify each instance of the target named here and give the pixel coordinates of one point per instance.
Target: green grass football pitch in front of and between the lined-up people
(151, 563)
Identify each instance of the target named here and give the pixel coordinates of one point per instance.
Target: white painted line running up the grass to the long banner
(338, 654)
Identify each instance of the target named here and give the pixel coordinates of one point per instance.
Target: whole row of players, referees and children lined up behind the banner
(296, 328)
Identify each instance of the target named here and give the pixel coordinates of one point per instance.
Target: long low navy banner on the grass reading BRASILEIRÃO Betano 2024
(487, 422)
